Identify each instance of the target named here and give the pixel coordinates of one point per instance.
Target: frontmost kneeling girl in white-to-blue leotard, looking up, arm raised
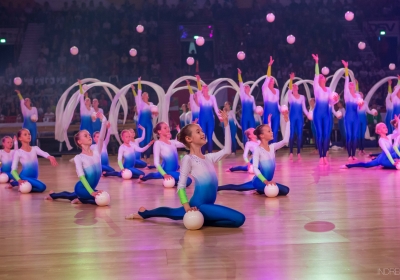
(201, 167)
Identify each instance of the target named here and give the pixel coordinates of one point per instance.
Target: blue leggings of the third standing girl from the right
(323, 123)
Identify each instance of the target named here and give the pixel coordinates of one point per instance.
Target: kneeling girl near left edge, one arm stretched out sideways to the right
(27, 155)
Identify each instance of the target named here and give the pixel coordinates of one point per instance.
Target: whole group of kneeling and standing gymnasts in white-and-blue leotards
(197, 126)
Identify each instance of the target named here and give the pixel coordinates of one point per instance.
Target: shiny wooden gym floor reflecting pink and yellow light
(335, 224)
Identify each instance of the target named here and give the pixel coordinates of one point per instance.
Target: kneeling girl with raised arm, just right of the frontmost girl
(263, 161)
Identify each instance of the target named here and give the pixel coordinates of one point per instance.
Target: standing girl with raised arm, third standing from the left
(145, 116)
